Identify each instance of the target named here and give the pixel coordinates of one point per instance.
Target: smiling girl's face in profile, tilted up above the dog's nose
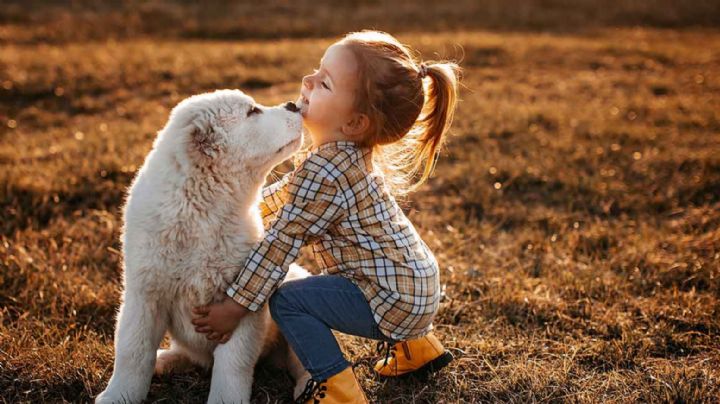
(327, 95)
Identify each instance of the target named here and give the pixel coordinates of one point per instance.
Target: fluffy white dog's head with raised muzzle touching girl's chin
(228, 130)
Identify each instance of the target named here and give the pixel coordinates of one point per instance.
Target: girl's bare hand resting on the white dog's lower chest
(218, 320)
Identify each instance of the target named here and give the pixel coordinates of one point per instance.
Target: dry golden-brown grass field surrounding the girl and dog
(575, 211)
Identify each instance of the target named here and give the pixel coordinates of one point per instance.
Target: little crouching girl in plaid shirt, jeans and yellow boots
(370, 104)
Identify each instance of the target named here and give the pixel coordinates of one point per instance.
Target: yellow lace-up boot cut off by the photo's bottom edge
(341, 388)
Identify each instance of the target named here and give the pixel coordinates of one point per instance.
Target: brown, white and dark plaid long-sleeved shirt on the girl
(335, 202)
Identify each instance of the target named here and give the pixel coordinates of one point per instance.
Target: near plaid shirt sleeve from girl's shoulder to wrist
(314, 203)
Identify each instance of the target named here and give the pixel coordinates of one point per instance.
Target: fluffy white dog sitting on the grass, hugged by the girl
(190, 220)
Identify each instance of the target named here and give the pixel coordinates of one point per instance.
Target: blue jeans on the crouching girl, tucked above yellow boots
(306, 310)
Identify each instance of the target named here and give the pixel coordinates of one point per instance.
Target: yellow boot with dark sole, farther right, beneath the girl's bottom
(419, 356)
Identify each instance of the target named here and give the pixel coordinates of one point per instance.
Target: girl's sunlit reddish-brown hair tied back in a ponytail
(410, 106)
